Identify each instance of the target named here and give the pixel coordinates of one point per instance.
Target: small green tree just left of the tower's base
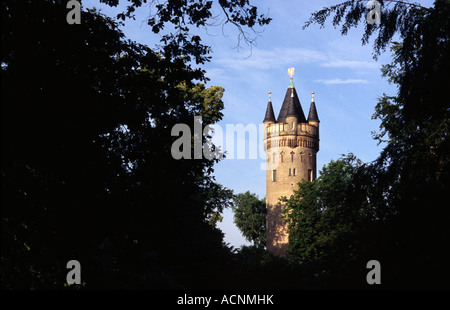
(250, 217)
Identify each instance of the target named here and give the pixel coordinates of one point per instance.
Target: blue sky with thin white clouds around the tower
(342, 73)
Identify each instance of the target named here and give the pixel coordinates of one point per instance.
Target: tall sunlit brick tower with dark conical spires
(291, 142)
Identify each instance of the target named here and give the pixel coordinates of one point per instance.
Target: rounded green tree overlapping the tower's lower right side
(327, 220)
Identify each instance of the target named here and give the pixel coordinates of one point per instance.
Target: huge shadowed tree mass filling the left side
(87, 171)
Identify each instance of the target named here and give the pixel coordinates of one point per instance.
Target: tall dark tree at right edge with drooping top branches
(412, 171)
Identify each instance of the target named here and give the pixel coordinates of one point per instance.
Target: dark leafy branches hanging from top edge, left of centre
(183, 15)
